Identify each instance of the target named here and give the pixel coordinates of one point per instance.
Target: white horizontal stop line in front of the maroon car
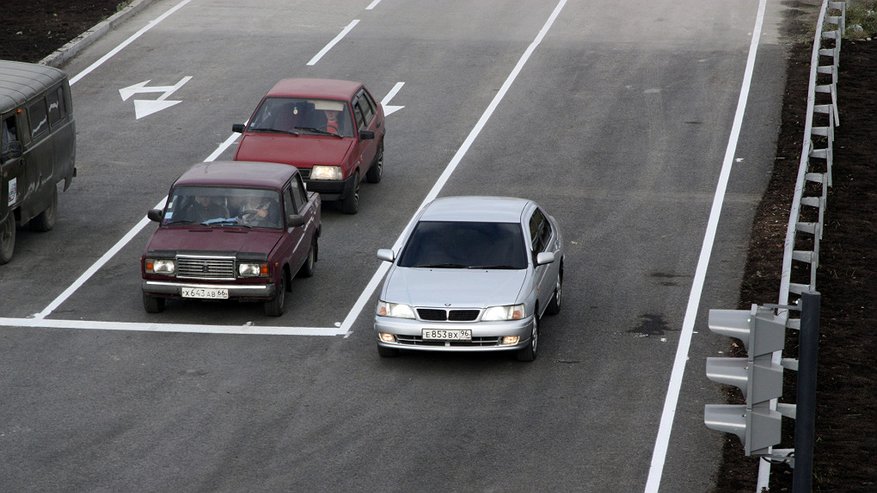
(160, 327)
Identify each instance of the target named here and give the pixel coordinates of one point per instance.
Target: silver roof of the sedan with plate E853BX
(477, 208)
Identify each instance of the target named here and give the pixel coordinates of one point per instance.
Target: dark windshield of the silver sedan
(465, 245)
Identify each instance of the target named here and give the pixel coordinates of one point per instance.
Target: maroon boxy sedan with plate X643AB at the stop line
(232, 231)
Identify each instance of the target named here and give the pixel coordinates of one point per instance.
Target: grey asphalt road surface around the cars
(618, 117)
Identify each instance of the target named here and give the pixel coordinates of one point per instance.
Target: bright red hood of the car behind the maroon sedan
(301, 151)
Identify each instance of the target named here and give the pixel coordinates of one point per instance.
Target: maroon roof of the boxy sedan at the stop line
(237, 173)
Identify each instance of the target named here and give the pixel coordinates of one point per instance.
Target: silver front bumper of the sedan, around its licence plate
(486, 336)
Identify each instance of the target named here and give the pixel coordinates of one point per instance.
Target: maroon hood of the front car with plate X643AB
(215, 239)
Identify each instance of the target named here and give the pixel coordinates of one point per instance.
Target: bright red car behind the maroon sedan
(331, 130)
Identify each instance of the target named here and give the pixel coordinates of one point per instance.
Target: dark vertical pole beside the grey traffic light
(805, 422)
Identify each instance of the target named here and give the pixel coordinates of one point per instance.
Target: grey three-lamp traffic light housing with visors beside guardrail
(757, 376)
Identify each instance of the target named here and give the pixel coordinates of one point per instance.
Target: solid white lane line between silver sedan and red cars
(452, 165)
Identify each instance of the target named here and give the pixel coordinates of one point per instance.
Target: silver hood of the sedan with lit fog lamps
(454, 287)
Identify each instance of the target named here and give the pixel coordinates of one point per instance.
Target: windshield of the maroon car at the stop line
(220, 206)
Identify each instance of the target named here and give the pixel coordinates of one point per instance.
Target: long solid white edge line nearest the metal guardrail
(659, 453)
